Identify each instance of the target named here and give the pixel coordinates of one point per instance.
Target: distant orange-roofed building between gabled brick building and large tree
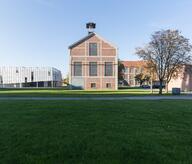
(132, 68)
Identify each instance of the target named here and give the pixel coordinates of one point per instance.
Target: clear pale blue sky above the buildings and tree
(38, 32)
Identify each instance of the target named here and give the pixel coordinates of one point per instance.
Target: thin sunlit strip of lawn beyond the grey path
(73, 93)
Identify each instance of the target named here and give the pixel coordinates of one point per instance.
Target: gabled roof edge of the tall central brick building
(87, 37)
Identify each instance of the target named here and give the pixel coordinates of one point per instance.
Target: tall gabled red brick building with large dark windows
(93, 63)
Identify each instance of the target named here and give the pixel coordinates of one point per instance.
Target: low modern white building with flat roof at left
(19, 77)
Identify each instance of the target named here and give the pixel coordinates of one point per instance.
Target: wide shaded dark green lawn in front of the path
(95, 132)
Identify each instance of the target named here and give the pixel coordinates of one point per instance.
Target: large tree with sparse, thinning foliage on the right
(167, 52)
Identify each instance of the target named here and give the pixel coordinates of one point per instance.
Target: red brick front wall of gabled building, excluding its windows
(106, 53)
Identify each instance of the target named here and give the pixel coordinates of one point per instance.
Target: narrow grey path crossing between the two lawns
(189, 97)
